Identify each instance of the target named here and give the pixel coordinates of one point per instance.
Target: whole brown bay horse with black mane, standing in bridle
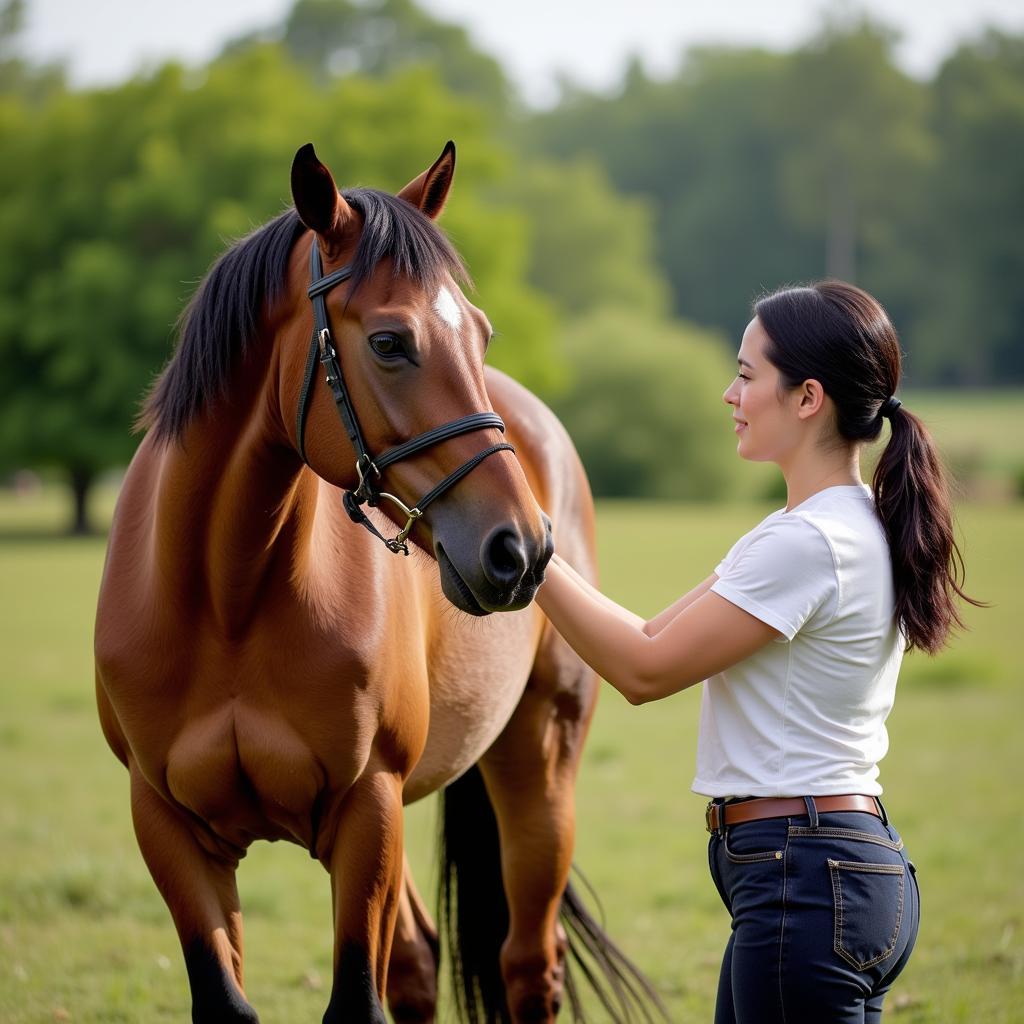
(266, 670)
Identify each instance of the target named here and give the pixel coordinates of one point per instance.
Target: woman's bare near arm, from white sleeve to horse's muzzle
(706, 637)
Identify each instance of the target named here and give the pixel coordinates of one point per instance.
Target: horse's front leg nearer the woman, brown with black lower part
(366, 879)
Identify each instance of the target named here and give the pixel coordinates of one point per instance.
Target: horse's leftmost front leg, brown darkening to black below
(201, 893)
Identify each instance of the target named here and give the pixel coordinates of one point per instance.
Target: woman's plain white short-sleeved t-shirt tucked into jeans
(805, 715)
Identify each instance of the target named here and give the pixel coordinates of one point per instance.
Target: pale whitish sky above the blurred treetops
(105, 41)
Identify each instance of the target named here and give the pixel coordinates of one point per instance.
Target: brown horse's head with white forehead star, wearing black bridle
(409, 360)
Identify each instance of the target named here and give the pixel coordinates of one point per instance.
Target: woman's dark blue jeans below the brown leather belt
(826, 911)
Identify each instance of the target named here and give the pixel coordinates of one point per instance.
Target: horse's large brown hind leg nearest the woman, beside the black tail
(530, 775)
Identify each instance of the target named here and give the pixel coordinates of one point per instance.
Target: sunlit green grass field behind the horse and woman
(86, 937)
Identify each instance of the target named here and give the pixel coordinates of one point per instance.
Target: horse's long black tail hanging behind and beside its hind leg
(474, 917)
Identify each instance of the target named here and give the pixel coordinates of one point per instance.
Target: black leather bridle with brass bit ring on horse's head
(368, 470)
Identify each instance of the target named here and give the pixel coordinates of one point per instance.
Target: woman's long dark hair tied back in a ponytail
(841, 336)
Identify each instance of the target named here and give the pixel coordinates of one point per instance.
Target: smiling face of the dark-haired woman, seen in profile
(766, 422)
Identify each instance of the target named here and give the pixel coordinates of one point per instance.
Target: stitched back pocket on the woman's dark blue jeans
(869, 903)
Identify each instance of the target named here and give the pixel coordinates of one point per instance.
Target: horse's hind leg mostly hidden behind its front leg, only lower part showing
(412, 974)
